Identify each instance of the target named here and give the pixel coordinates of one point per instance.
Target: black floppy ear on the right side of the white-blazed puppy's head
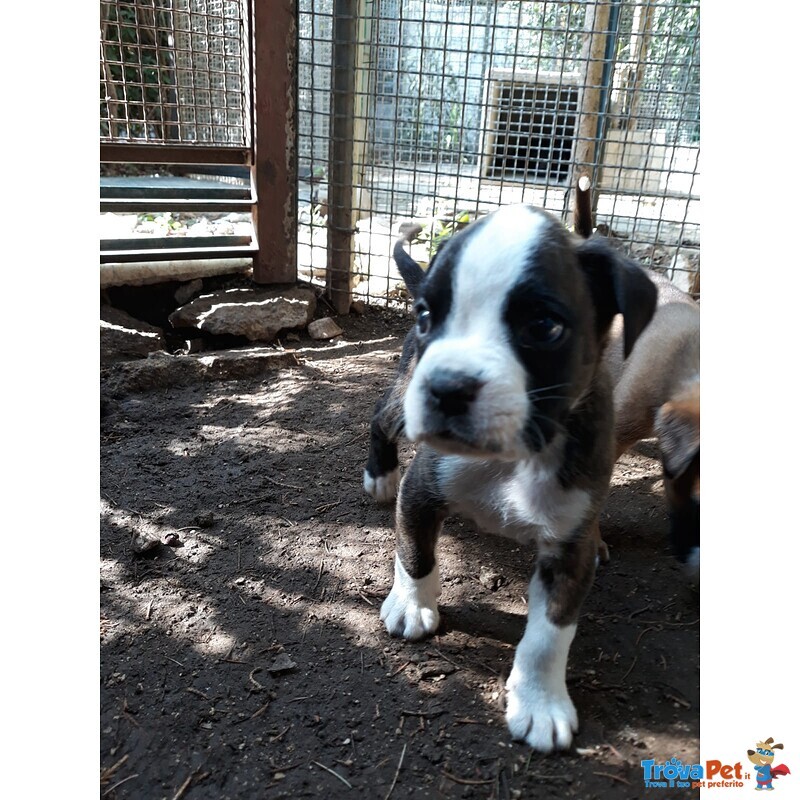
(618, 286)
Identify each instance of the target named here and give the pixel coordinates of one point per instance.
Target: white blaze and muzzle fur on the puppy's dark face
(475, 341)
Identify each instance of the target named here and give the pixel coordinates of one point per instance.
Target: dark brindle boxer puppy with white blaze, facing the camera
(503, 388)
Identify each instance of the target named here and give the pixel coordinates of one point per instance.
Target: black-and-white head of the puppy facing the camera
(512, 317)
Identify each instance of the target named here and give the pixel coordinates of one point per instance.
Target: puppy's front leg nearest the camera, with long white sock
(539, 709)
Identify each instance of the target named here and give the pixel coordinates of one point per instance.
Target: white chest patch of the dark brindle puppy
(522, 500)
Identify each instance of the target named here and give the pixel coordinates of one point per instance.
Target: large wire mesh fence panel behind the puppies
(463, 106)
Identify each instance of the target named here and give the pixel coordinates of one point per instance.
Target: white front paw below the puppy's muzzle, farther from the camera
(411, 610)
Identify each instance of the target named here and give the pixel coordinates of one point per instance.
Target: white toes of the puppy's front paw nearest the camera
(544, 717)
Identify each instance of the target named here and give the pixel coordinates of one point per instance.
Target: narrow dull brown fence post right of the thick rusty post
(340, 179)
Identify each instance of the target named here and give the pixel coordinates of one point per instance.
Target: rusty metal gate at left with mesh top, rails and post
(178, 81)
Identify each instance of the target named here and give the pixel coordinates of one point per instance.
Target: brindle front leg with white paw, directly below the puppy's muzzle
(411, 609)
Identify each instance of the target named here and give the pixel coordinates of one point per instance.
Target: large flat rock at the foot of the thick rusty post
(258, 314)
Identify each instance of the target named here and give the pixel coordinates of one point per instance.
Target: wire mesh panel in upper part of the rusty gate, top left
(175, 72)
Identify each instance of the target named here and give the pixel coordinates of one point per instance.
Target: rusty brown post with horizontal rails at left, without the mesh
(272, 58)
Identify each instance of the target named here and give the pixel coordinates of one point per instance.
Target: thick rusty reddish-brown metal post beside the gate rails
(274, 172)
